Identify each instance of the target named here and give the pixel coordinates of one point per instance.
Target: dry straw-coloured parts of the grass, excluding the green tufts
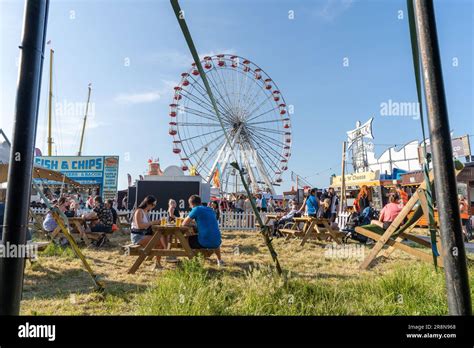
(60, 285)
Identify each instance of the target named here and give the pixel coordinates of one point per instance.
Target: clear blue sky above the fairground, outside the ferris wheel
(94, 41)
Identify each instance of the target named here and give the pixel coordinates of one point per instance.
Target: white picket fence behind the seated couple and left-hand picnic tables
(228, 220)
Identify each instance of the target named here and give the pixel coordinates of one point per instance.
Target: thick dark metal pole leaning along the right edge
(454, 256)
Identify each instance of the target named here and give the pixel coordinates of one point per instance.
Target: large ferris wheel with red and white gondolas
(255, 118)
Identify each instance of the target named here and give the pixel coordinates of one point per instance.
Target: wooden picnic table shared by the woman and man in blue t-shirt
(177, 248)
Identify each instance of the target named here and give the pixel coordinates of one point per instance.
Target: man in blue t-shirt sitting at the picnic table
(209, 235)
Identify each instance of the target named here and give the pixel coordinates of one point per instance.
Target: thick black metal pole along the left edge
(21, 156)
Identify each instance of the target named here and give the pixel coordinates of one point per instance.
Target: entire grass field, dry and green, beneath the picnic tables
(321, 280)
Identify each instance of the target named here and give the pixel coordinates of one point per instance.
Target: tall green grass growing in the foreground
(192, 290)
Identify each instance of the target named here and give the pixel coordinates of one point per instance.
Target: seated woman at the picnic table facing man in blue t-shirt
(141, 231)
